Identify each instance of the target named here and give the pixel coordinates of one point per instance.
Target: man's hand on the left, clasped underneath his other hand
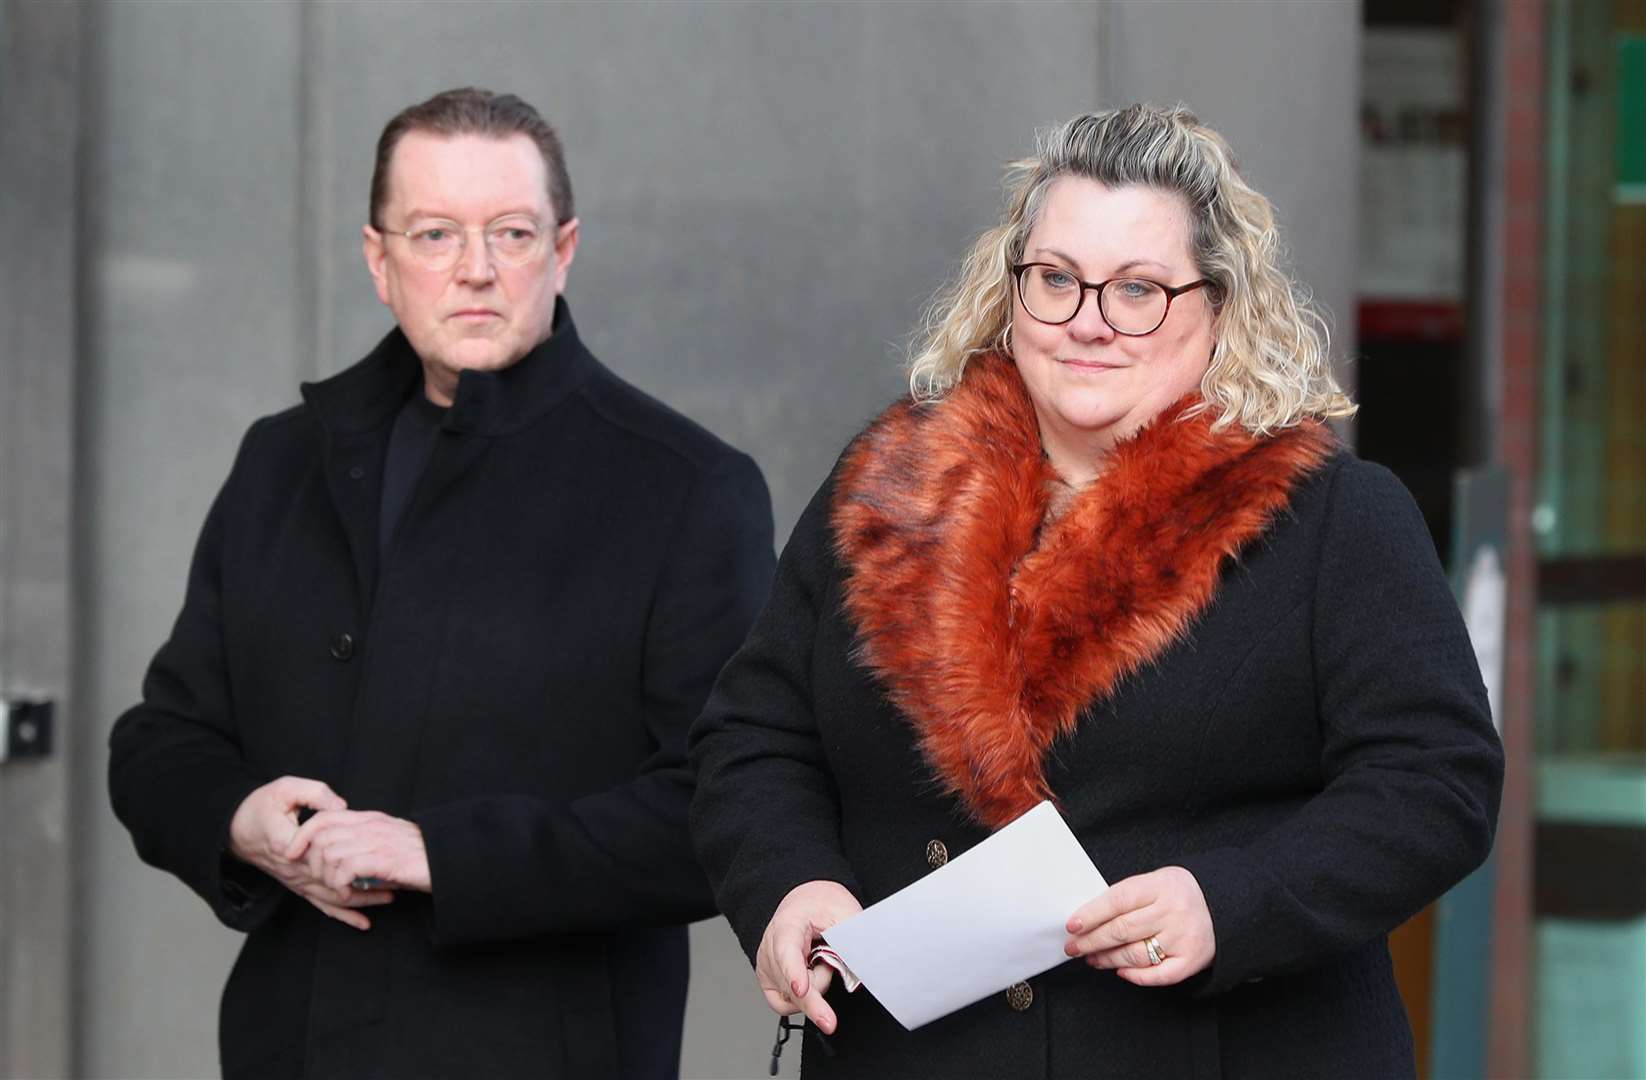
(264, 827)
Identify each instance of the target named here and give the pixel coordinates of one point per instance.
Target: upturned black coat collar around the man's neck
(368, 396)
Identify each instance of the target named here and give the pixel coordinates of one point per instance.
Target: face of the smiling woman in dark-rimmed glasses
(1090, 386)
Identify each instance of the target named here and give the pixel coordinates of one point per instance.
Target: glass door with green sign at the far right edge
(1591, 521)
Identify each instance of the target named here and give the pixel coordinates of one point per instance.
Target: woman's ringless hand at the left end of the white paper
(781, 966)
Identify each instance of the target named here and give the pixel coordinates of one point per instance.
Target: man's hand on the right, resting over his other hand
(342, 847)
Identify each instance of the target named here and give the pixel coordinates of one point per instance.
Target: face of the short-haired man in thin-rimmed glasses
(480, 314)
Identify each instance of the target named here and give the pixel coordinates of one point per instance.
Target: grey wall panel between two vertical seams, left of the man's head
(192, 328)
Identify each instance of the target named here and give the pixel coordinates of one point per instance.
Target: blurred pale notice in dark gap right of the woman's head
(1415, 159)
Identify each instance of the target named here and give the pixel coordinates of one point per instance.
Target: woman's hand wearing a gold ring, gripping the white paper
(1114, 931)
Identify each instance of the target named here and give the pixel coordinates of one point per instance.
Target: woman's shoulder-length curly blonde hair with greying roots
(1270, 366)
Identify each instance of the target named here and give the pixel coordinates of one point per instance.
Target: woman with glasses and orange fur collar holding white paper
(1109, 554)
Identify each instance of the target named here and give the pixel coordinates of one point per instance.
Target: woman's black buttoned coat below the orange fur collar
(1316, 750)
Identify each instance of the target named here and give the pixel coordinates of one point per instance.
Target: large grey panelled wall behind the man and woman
(768, 193)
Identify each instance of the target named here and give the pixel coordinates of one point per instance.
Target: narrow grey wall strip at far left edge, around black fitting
(40, 57)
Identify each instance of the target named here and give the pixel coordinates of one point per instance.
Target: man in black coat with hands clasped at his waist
(421, 725)
